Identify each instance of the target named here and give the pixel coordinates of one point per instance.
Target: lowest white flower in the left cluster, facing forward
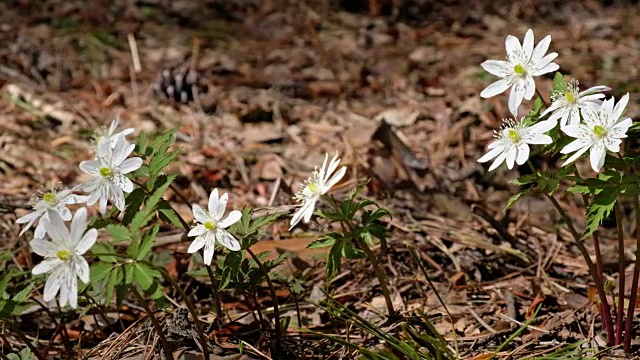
(63, 256)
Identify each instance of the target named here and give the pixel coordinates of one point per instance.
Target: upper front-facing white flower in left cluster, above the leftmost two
(108, 181)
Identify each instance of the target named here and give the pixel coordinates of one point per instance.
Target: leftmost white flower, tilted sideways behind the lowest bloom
(52, 200)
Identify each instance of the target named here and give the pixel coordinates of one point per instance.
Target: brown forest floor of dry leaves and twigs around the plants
(394, 88)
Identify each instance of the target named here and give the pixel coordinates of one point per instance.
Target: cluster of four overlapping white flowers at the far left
(63, 259)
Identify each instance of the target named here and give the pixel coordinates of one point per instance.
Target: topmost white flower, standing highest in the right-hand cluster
(523, 63)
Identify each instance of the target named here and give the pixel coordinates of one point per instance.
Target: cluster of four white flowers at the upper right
(595, 124)
